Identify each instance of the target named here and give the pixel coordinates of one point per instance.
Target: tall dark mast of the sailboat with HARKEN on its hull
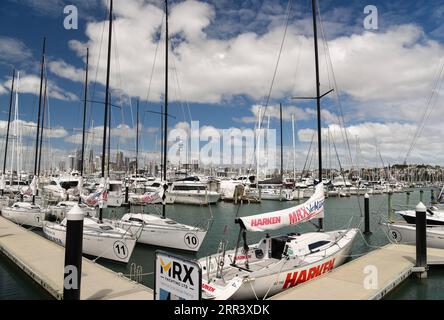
(318, 95)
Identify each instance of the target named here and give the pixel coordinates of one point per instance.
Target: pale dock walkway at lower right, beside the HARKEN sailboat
(394, 263)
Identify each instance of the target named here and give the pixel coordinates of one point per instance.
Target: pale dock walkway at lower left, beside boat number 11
(43, 261)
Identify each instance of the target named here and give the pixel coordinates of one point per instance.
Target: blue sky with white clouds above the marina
(225, 53)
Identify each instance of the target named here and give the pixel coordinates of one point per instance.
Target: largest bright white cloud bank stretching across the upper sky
(384, 67)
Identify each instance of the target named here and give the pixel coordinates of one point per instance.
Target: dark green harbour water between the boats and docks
(339, 213)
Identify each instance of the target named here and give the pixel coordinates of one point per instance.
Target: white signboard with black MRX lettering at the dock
(176, 278)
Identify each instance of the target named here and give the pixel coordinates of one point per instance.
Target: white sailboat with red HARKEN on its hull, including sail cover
(275, 263)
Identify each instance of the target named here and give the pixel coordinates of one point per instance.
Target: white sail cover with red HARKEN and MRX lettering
(312, 208)
